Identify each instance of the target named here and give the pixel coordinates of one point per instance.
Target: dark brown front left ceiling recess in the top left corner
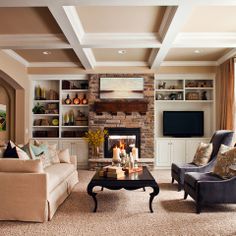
(27, 20)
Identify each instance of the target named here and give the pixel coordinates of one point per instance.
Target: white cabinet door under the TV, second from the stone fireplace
(178, 151)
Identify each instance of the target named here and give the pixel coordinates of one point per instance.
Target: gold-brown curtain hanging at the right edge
(225, 95)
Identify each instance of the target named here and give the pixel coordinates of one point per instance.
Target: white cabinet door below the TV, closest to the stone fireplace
(163, 158)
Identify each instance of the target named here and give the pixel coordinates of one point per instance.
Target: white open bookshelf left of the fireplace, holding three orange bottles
(59, 107)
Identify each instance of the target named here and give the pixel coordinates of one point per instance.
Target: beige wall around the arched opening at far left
(16, 75)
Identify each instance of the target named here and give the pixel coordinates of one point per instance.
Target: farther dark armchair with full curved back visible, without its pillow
(178, 171)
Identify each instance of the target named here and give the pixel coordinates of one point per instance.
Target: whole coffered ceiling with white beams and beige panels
(107, 33)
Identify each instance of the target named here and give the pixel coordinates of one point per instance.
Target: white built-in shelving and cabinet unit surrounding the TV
(172, 94)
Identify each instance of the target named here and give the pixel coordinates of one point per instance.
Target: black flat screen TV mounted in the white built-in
(183, 123)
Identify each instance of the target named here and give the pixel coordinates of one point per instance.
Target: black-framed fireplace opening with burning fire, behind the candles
(123, 138)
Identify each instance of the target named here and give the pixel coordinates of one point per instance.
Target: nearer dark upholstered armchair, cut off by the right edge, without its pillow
(207, 188)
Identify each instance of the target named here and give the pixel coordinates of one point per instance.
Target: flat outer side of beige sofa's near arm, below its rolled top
(23, 196)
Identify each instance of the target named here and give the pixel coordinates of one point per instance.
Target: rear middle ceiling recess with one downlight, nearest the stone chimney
(131, 54)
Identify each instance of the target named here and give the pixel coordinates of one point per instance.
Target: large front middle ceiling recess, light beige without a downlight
(120, 19)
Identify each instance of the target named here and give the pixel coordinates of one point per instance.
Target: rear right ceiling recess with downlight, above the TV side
(195, 54)
